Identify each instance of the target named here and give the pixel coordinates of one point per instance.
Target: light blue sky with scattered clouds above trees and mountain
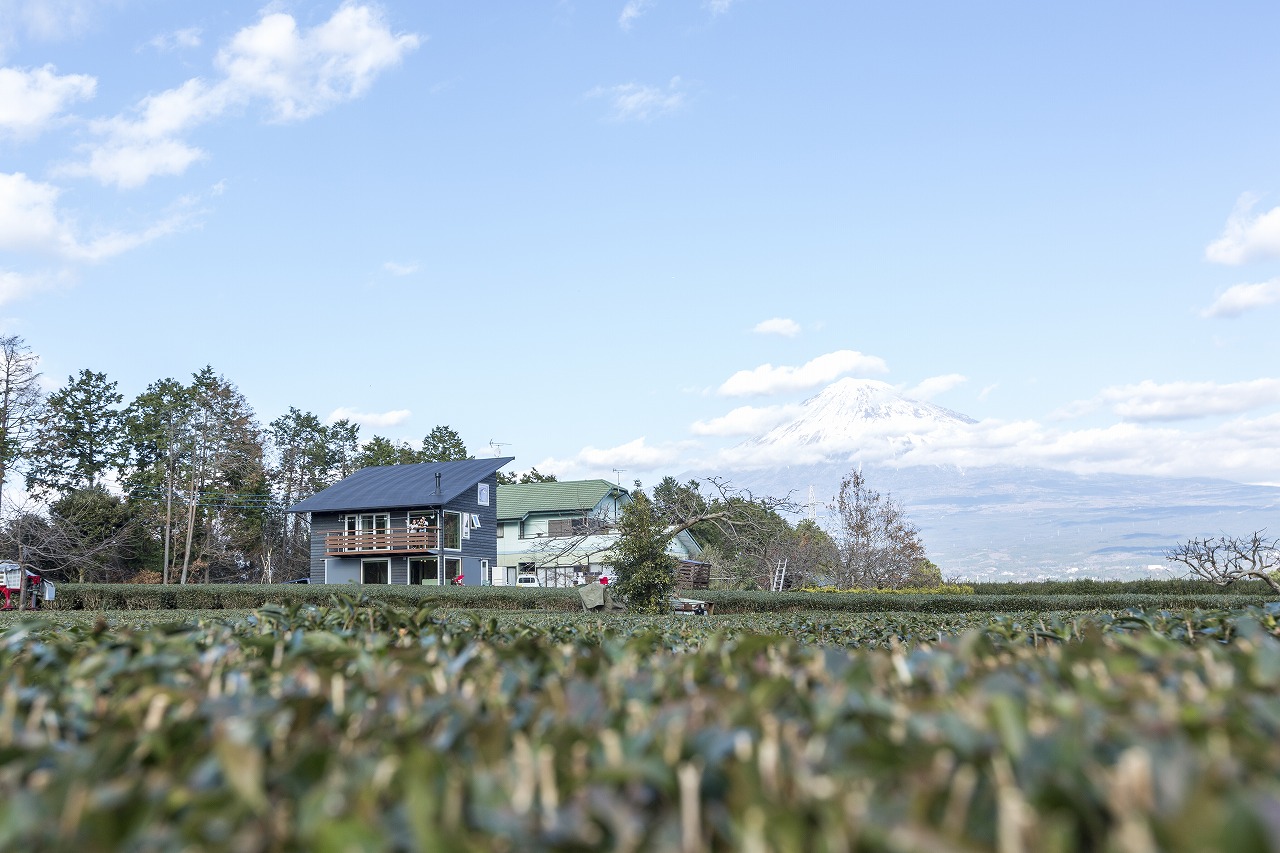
(628, 235)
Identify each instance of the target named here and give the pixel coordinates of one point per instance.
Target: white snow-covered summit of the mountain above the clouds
(847, 412)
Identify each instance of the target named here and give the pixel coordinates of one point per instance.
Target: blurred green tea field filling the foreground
(373, 726)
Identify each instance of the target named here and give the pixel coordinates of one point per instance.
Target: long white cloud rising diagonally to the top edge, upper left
(296, 74)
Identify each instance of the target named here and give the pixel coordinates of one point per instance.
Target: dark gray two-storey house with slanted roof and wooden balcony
(432, 523)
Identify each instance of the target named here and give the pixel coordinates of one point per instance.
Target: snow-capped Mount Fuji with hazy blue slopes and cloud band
(981, 519)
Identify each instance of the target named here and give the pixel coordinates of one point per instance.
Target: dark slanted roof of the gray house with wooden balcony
(386, 487)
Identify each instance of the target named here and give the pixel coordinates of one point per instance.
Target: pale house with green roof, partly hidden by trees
(560, 535)
